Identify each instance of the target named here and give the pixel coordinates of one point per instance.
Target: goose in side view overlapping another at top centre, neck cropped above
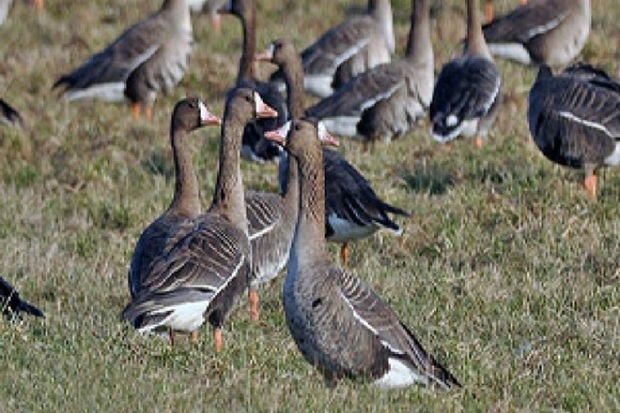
(387, 100)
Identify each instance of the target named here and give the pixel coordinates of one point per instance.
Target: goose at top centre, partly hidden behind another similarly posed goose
(347, 50)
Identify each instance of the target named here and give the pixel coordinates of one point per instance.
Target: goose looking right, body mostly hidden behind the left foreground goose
(188, 114)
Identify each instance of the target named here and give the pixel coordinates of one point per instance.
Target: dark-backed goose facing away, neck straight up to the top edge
(466, 95)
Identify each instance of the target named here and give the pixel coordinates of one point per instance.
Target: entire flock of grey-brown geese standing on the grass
(191, 266)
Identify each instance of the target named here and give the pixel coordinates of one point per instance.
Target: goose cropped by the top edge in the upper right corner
(550, 32)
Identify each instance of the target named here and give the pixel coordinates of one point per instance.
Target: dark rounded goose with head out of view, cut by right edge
(574, 118)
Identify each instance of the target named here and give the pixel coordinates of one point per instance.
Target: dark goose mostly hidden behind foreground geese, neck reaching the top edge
(255, 147)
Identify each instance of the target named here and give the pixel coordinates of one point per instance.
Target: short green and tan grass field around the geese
(506, 270)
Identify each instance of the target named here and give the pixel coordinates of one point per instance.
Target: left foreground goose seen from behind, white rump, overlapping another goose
(205, 264)
